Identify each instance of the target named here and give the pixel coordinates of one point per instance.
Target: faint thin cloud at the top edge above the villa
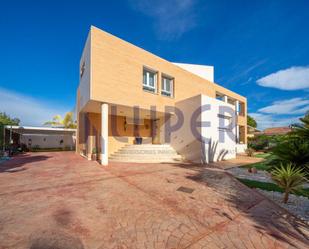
(172, 18)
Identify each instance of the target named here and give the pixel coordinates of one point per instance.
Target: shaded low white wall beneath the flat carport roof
(48, 141)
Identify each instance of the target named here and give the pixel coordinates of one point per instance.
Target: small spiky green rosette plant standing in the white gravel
(289, 178)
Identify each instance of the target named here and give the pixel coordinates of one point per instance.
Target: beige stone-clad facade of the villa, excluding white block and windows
(111, 72)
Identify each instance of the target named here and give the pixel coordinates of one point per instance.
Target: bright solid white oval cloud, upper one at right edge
(293, 78)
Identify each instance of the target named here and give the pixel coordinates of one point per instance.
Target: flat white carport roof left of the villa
(33, 130)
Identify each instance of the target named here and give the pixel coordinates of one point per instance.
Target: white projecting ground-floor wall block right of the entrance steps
(206, 144)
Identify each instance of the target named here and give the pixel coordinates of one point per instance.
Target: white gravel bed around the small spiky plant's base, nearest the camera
(297, 205)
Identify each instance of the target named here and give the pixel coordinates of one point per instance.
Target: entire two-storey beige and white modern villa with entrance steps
(132, 104)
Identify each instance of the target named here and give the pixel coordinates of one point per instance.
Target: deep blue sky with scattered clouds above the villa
(259, 49)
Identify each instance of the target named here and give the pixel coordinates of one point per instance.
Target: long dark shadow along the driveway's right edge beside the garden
(275, 222)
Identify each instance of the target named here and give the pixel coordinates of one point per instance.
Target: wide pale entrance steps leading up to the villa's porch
(146, 153)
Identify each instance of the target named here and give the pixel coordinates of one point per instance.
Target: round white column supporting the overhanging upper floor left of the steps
(104, 134)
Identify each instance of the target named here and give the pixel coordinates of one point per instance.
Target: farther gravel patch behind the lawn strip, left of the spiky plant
(261, 175)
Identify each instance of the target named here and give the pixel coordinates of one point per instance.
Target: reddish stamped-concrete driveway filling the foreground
(60, 200)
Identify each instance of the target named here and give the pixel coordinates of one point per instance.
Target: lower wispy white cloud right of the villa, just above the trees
(291, 106)
